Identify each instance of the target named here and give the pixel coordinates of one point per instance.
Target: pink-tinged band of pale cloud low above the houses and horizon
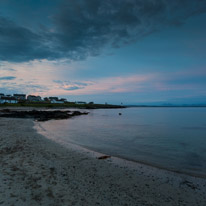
(46, 80)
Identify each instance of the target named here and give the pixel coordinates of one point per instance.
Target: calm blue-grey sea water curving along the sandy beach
(172, 138)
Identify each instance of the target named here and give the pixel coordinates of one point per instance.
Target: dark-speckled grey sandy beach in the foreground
(36, 171)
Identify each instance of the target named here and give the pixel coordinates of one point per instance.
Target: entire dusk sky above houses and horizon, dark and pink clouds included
(114, 51)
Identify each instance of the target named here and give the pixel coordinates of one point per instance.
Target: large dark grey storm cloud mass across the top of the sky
(83, 28)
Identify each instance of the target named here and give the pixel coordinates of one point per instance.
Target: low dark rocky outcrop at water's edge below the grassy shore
(40, 115)
